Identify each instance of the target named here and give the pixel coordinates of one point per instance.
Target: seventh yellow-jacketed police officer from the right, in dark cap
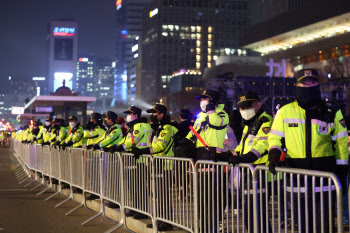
(94, 130)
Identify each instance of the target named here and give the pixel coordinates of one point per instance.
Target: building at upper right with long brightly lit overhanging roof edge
(314, 34)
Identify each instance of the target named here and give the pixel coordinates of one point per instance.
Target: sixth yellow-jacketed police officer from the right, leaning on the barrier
(112, 136)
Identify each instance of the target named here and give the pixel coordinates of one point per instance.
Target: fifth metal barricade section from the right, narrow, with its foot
(112, 182)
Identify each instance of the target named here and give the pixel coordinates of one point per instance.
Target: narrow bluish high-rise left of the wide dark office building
(129, 26)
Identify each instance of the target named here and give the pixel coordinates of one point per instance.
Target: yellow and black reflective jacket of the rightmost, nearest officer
(315, 139)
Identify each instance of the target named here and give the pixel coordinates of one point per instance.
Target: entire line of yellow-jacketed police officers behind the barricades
(312, 131)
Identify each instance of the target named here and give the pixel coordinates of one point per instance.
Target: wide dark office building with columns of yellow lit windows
(187, 35)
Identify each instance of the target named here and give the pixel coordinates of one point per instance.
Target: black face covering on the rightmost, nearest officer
(308, 97)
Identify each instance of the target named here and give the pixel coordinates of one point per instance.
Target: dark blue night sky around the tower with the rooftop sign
(24, 28)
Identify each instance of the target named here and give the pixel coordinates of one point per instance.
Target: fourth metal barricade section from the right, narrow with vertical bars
(137, 177)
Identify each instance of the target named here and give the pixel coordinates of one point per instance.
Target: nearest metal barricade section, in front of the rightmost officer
(298, 200)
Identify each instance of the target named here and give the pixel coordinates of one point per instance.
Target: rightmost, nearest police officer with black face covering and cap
(315, 136)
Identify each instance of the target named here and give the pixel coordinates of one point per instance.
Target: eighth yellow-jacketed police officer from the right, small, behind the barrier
(76, 134)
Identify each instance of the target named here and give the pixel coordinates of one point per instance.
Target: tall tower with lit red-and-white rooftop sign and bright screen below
(63, 47)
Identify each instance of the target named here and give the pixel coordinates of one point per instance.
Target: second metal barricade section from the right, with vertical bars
(225, 197)
